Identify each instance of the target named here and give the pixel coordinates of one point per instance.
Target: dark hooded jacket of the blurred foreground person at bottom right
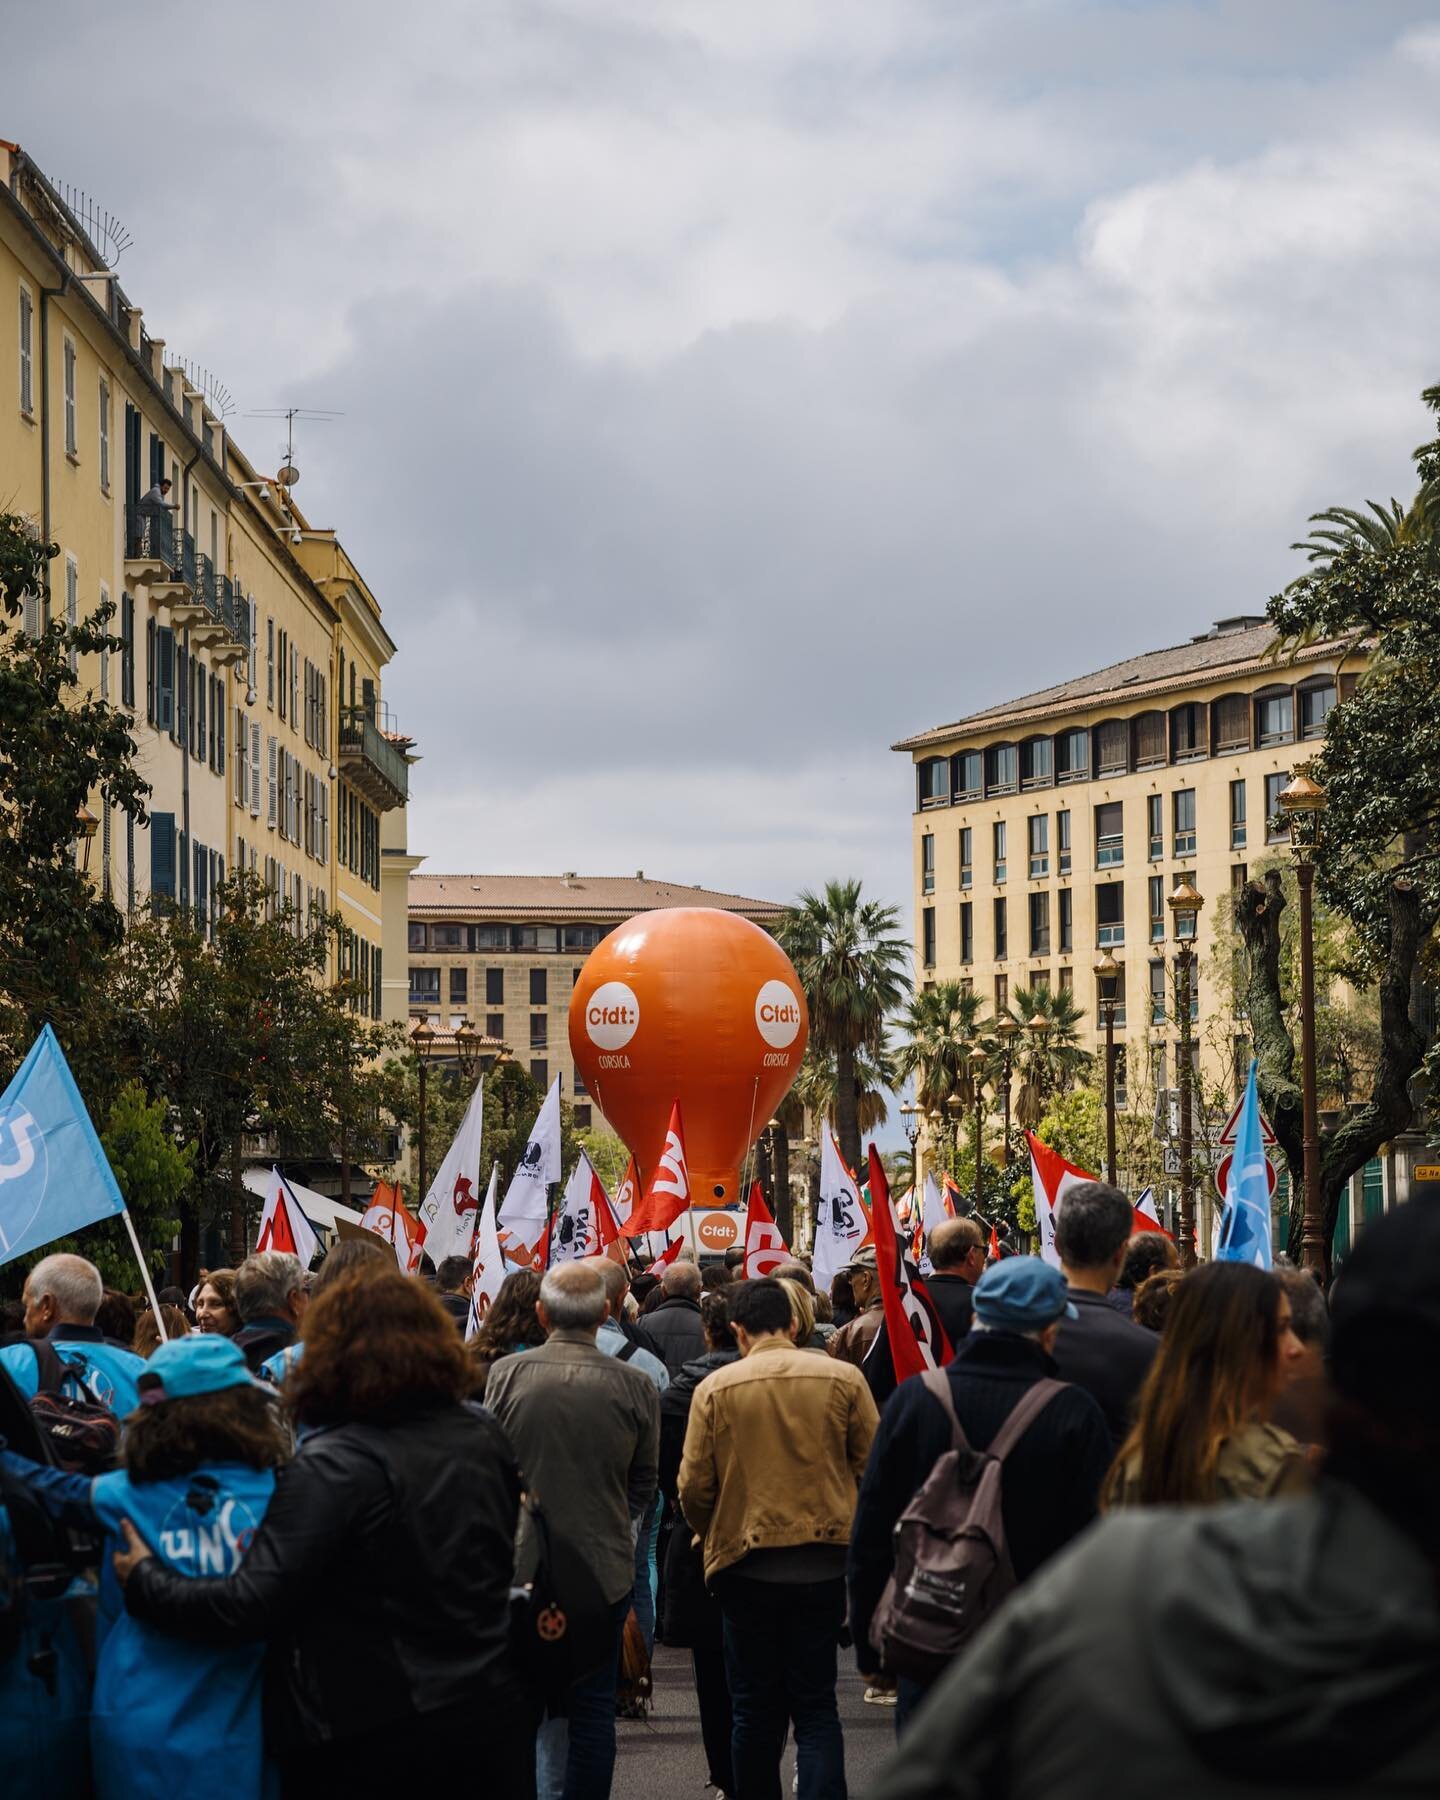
(1257, 1650)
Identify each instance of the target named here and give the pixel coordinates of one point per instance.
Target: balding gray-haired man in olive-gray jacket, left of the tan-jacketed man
(586, 1428)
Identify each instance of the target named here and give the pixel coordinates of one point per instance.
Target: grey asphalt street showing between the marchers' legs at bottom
(661, 1758)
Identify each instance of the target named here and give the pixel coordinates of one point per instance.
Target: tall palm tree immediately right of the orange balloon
(852, 966)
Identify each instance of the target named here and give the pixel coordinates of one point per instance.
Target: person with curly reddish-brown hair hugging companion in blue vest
(379, 1581)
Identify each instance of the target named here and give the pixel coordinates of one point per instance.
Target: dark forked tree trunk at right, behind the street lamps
(1403, 1045)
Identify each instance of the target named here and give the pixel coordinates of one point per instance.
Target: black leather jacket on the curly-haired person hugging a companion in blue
(379, 1578)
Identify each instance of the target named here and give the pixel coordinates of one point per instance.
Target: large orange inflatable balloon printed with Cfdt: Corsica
(699, 1007)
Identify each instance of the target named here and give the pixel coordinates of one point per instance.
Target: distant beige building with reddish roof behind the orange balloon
(505, 951)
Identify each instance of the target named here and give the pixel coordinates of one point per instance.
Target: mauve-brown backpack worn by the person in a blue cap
(951, 1561)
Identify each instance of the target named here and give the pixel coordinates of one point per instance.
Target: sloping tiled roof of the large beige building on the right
(1228, 652)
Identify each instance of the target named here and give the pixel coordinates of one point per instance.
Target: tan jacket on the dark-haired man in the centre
(775, 1453)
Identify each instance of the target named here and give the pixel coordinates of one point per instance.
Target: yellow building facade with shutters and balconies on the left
(253, 649)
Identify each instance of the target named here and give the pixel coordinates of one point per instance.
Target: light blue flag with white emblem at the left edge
(55, 1176)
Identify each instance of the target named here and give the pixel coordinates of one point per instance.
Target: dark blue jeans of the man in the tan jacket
(780, 1660)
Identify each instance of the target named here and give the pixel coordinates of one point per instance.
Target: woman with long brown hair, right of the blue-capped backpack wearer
(1201, 1434)
